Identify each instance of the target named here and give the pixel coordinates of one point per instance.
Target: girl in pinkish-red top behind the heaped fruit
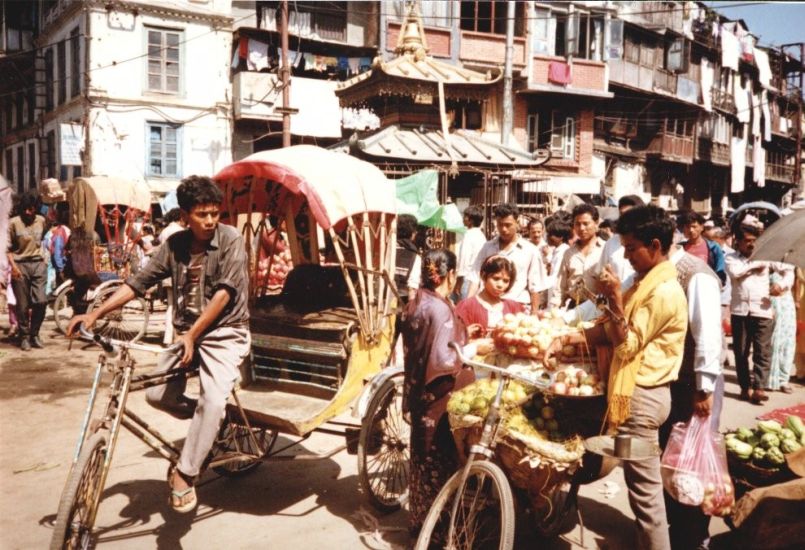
(486, 309)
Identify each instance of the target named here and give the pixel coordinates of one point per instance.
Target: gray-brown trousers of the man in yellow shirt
(650, 408)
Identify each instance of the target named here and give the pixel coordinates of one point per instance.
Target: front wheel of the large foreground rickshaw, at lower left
(82, 493)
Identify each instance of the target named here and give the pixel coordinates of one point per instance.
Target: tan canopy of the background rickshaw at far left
(85, 194)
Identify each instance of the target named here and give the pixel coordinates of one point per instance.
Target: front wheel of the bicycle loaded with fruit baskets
(484, 512)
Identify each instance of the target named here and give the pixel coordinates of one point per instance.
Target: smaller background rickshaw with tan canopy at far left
(110, 208)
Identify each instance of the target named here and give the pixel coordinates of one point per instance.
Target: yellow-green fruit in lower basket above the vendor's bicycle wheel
(527, 416)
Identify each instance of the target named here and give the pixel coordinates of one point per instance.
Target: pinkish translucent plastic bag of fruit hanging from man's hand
(694, 468)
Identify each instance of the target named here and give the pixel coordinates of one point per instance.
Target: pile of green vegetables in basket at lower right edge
(767, 445)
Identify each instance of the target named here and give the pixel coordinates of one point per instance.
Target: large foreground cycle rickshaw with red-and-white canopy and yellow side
(319, 345)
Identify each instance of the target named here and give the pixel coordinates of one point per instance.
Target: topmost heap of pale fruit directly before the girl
(522, 335)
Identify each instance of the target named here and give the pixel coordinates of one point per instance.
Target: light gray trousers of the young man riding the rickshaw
(218, 355)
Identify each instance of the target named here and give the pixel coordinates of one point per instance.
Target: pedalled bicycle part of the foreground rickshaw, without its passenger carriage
(238, 448)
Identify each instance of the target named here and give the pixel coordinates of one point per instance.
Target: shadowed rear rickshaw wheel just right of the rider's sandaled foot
(235, 442)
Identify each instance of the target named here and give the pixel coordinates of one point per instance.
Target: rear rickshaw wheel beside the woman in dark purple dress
(383, 454)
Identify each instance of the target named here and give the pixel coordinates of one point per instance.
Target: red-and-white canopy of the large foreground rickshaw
(334, 185)
